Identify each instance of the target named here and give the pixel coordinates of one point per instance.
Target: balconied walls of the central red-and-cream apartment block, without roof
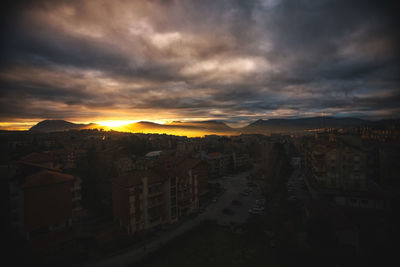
(149, 205)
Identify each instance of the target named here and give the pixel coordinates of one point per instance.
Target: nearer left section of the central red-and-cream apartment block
(142, 200)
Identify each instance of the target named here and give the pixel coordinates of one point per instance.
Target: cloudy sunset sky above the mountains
(234, 61)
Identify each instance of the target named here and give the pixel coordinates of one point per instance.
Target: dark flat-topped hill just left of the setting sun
(59, 126)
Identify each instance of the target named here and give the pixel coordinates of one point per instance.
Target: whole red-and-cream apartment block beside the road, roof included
(146, 199)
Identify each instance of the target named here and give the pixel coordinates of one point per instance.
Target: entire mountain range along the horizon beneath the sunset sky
(201, 128)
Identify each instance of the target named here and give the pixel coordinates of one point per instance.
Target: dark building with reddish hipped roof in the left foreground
(44, 202)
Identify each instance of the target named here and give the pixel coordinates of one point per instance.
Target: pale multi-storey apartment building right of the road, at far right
(340, 172)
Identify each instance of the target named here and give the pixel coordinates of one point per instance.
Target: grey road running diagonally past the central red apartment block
(233, 185)
